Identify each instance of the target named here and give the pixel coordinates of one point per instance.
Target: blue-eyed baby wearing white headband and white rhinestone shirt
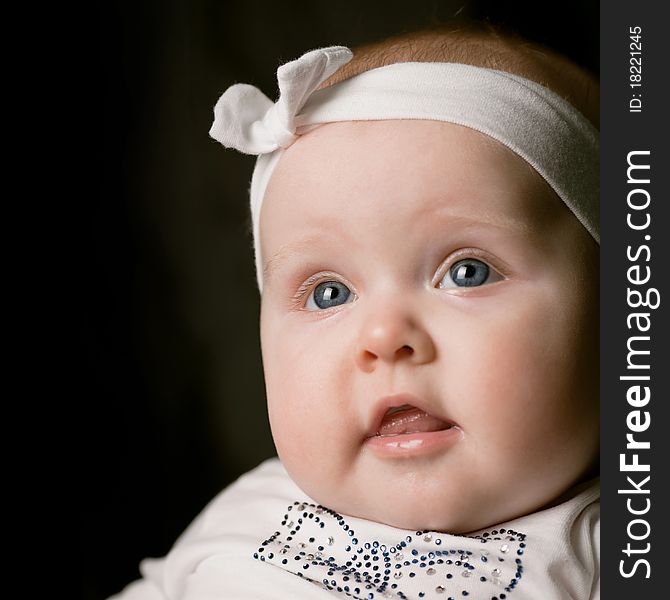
(426, 236)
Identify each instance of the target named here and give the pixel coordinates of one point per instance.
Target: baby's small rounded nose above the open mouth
(392, 335)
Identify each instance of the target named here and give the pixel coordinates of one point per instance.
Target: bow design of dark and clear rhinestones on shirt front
(317, 544)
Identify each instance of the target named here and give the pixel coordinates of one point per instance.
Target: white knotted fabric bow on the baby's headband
(247, 120)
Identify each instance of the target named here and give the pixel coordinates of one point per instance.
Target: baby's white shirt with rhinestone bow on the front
(244, 544)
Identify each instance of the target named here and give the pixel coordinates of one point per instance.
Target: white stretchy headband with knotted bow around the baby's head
(531, 120)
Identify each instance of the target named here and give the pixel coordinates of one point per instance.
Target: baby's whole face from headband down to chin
(422, 265)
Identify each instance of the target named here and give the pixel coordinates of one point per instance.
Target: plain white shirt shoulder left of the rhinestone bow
(214, 557)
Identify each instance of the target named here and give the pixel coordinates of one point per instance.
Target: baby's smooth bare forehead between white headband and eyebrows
(370, 170)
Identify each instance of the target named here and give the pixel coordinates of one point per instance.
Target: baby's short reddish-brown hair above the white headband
(481, 44)
